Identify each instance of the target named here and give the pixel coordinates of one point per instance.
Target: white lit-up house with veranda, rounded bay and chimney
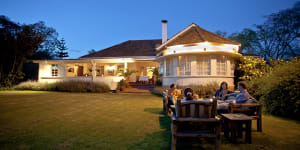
(192, 56)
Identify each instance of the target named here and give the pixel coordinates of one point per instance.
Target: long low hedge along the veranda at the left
(65, 86)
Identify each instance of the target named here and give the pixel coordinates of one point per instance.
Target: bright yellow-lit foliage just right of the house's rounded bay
(250, 68)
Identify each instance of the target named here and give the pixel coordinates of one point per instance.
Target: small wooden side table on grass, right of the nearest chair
(233, 123)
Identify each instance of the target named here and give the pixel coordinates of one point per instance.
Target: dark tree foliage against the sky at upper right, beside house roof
(278, 37)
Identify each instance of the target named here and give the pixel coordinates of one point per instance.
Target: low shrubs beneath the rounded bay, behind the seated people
(203, 91)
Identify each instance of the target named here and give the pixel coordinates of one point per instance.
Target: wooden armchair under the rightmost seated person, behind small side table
(253, 110)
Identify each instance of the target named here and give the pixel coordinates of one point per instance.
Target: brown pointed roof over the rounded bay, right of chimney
(194, 34)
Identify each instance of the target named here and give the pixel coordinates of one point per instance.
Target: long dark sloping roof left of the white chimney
(128, 48)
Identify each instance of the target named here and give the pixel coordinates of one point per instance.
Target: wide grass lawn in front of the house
(57, 120)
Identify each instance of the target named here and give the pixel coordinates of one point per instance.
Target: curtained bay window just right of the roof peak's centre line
(203, 65)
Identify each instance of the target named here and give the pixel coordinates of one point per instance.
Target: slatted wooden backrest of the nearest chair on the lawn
(196, 109)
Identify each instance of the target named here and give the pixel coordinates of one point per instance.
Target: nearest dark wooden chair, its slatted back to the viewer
(195, 119)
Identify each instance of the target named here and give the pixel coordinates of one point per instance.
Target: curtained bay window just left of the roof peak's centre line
(184, 65)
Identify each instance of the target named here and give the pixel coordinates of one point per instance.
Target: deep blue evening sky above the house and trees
(97, 24)
